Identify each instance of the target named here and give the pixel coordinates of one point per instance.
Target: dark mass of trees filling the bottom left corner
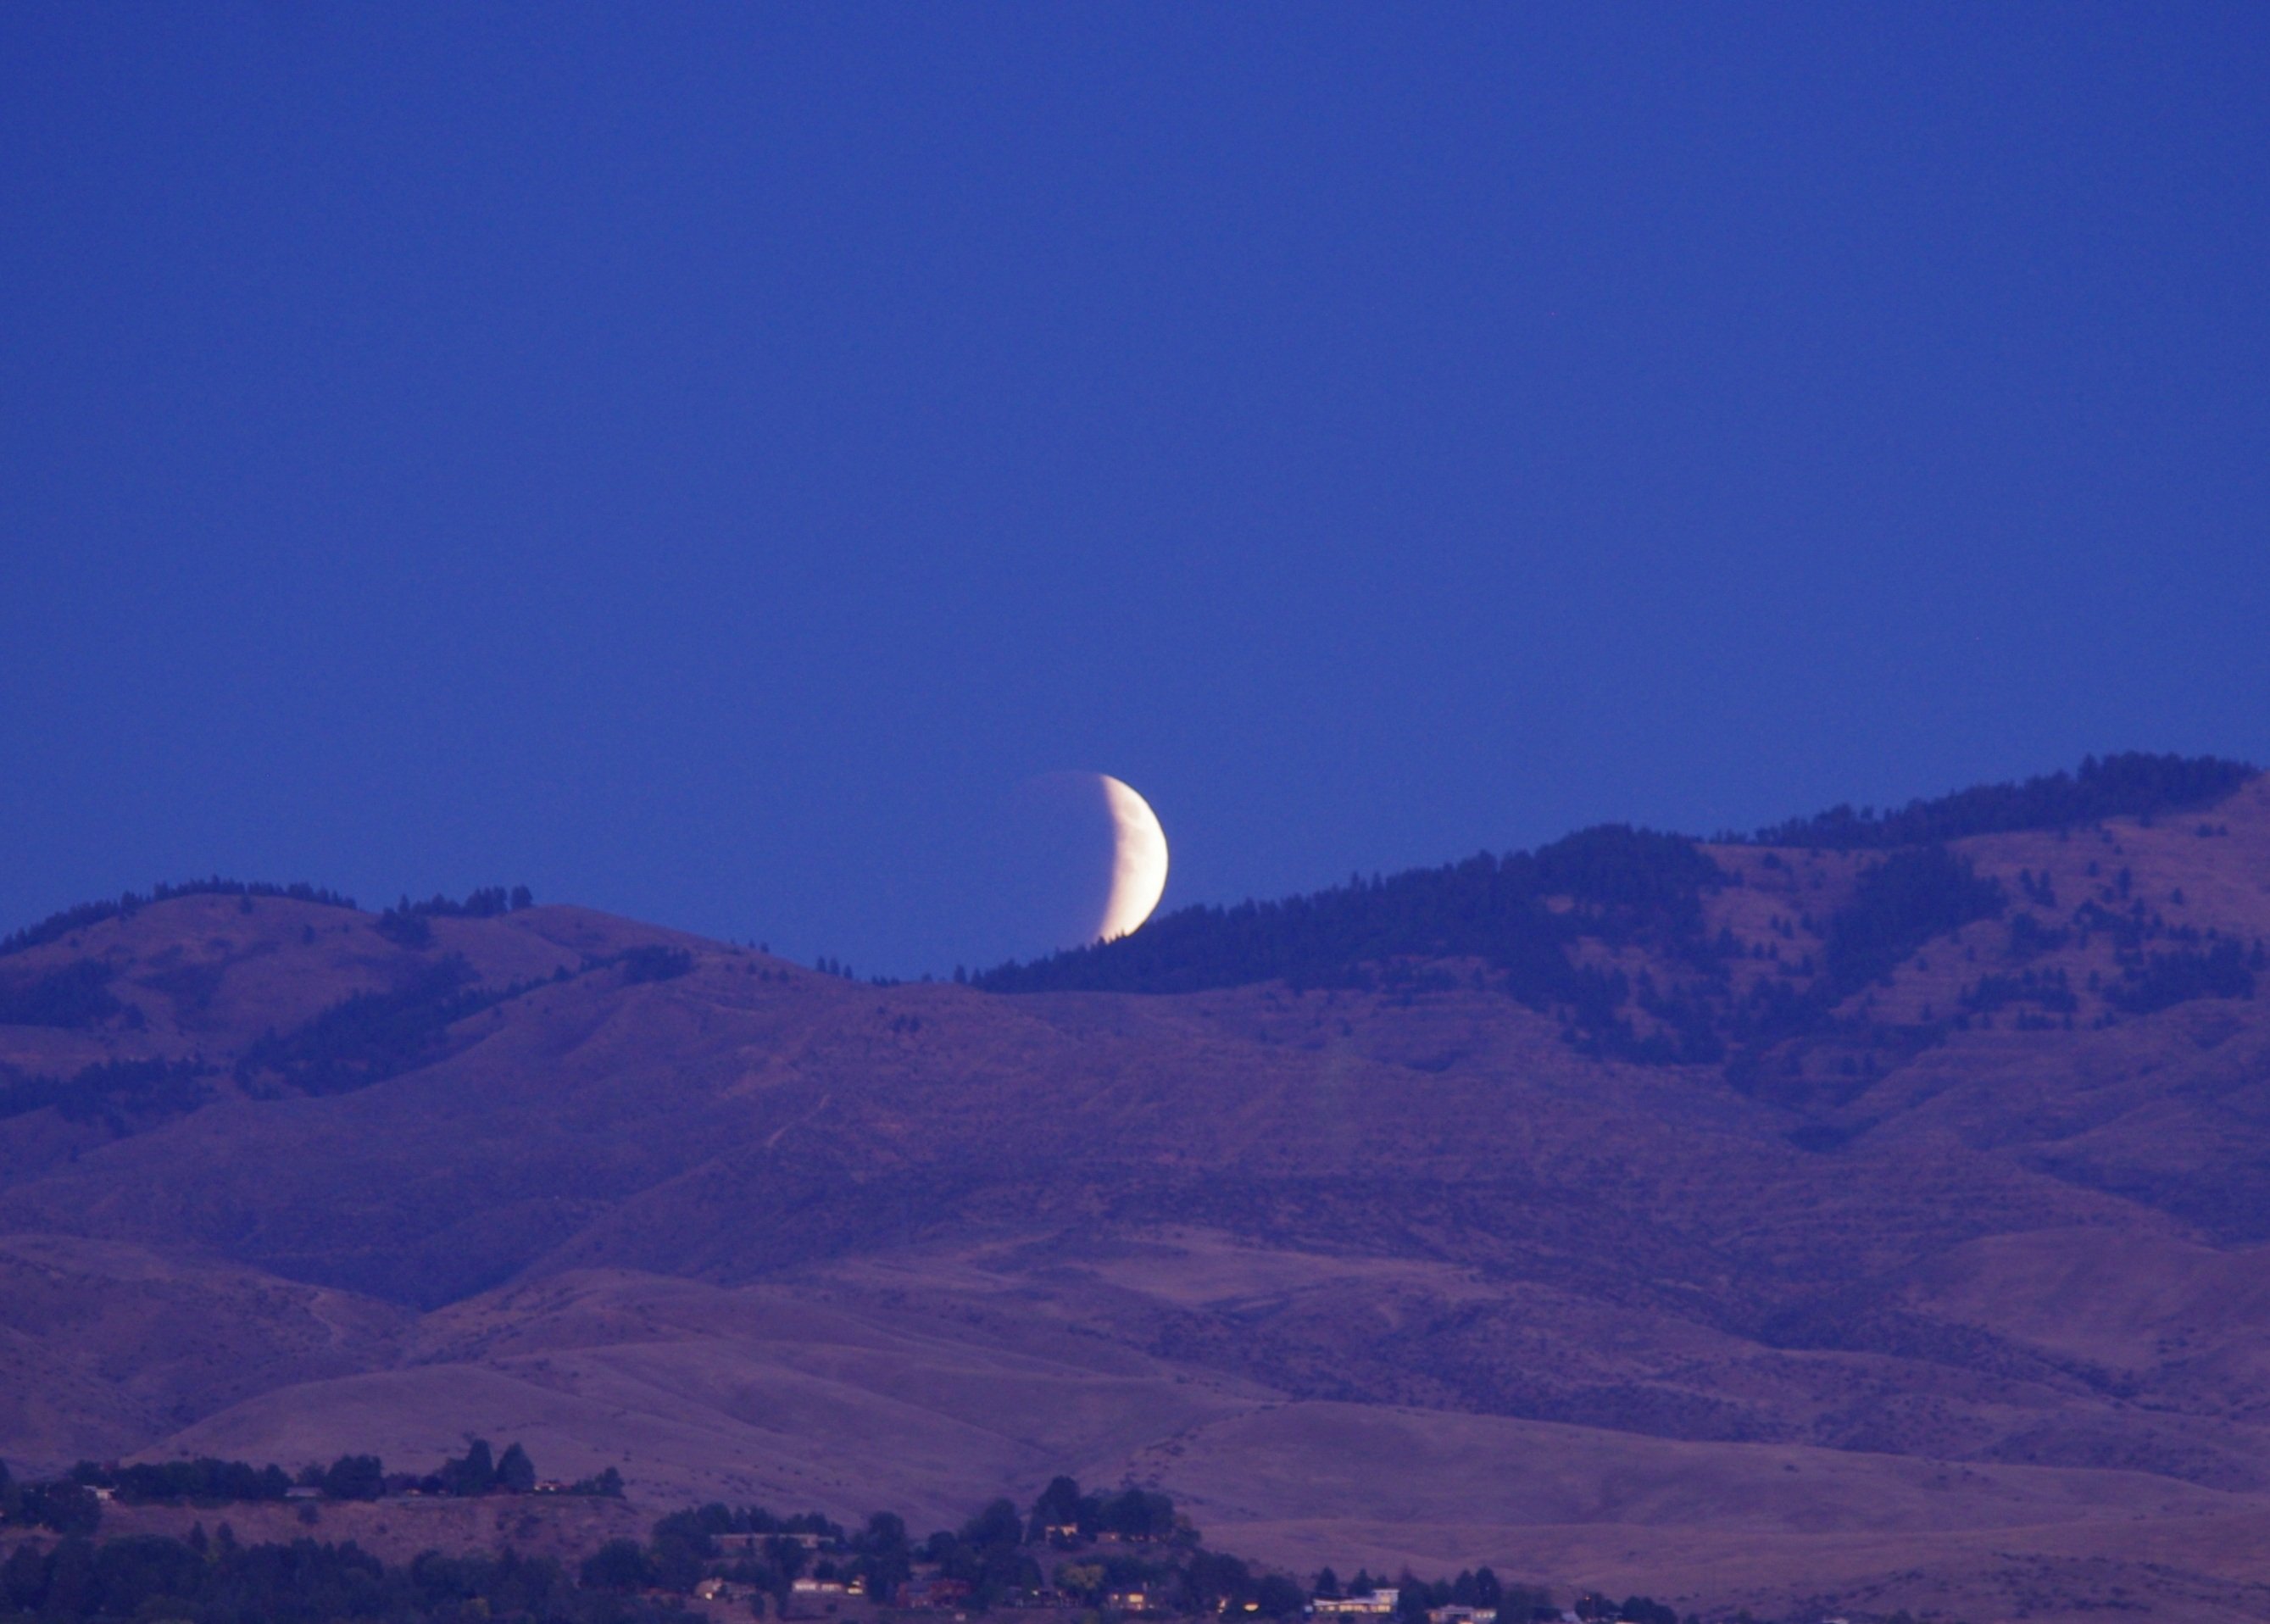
(221, 1582)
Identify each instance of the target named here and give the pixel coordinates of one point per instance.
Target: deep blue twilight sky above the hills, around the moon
(698, 460)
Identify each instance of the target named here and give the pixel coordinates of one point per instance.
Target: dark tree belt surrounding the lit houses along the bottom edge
(1098, 1552)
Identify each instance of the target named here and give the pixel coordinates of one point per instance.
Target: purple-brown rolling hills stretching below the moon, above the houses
(1853, 1216)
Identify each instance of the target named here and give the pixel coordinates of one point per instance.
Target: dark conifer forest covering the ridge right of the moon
(1524, 914)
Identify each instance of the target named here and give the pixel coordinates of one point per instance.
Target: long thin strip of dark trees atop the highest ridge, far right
(2115, 787)
